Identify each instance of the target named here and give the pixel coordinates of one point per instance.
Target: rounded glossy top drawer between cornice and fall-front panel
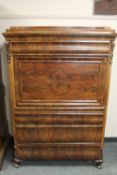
(65, 46)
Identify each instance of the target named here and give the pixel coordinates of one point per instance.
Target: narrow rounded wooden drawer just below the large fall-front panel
(58, 119)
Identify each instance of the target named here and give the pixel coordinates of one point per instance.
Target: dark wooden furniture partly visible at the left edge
(4, 137)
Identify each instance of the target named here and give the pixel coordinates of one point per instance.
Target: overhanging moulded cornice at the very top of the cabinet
(52, 30)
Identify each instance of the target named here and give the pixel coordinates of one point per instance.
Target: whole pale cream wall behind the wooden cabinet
(57, 13)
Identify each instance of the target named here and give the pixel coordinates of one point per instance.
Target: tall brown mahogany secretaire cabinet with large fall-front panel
(59, 81)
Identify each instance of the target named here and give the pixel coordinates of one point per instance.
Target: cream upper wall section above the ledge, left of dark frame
(46, 7)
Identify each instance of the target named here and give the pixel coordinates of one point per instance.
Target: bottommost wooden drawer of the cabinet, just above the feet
(59, 152)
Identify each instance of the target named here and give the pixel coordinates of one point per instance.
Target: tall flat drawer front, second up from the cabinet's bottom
(58, 133)
